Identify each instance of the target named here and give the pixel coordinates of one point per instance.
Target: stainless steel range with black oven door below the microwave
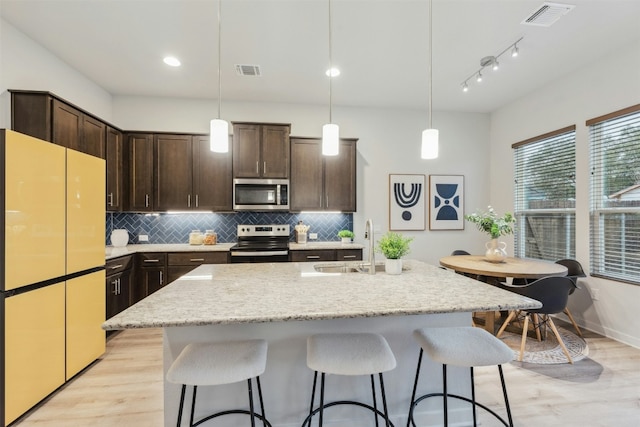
(262, 243)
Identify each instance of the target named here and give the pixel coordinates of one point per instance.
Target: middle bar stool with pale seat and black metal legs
(349, 354)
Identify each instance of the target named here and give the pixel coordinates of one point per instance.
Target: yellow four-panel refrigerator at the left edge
(52, 298)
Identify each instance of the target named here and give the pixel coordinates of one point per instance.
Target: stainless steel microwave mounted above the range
(260, 194)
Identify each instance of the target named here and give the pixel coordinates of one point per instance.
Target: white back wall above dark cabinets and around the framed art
(389, 143)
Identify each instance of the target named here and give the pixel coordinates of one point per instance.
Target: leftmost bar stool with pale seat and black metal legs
(209, 364)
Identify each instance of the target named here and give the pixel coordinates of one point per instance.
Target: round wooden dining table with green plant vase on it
(492, 272)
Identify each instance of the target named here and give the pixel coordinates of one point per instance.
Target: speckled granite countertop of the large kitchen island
(276, 292)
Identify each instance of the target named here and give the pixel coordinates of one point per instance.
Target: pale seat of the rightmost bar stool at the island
(463, 346)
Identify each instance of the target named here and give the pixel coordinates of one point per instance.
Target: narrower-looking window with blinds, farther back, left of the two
(545, 195)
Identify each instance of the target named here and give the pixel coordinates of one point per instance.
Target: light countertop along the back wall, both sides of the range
(113, 252)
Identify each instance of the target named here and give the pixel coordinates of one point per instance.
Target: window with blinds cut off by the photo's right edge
(615, 195)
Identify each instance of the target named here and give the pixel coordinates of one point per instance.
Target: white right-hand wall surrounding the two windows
(608, 85)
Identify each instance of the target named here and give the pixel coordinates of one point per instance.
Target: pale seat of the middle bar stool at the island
(349, 354)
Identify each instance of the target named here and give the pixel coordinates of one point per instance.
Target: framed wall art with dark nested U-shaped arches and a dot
(407, 202)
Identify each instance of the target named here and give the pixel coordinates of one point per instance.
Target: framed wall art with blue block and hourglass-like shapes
(446, 202)
